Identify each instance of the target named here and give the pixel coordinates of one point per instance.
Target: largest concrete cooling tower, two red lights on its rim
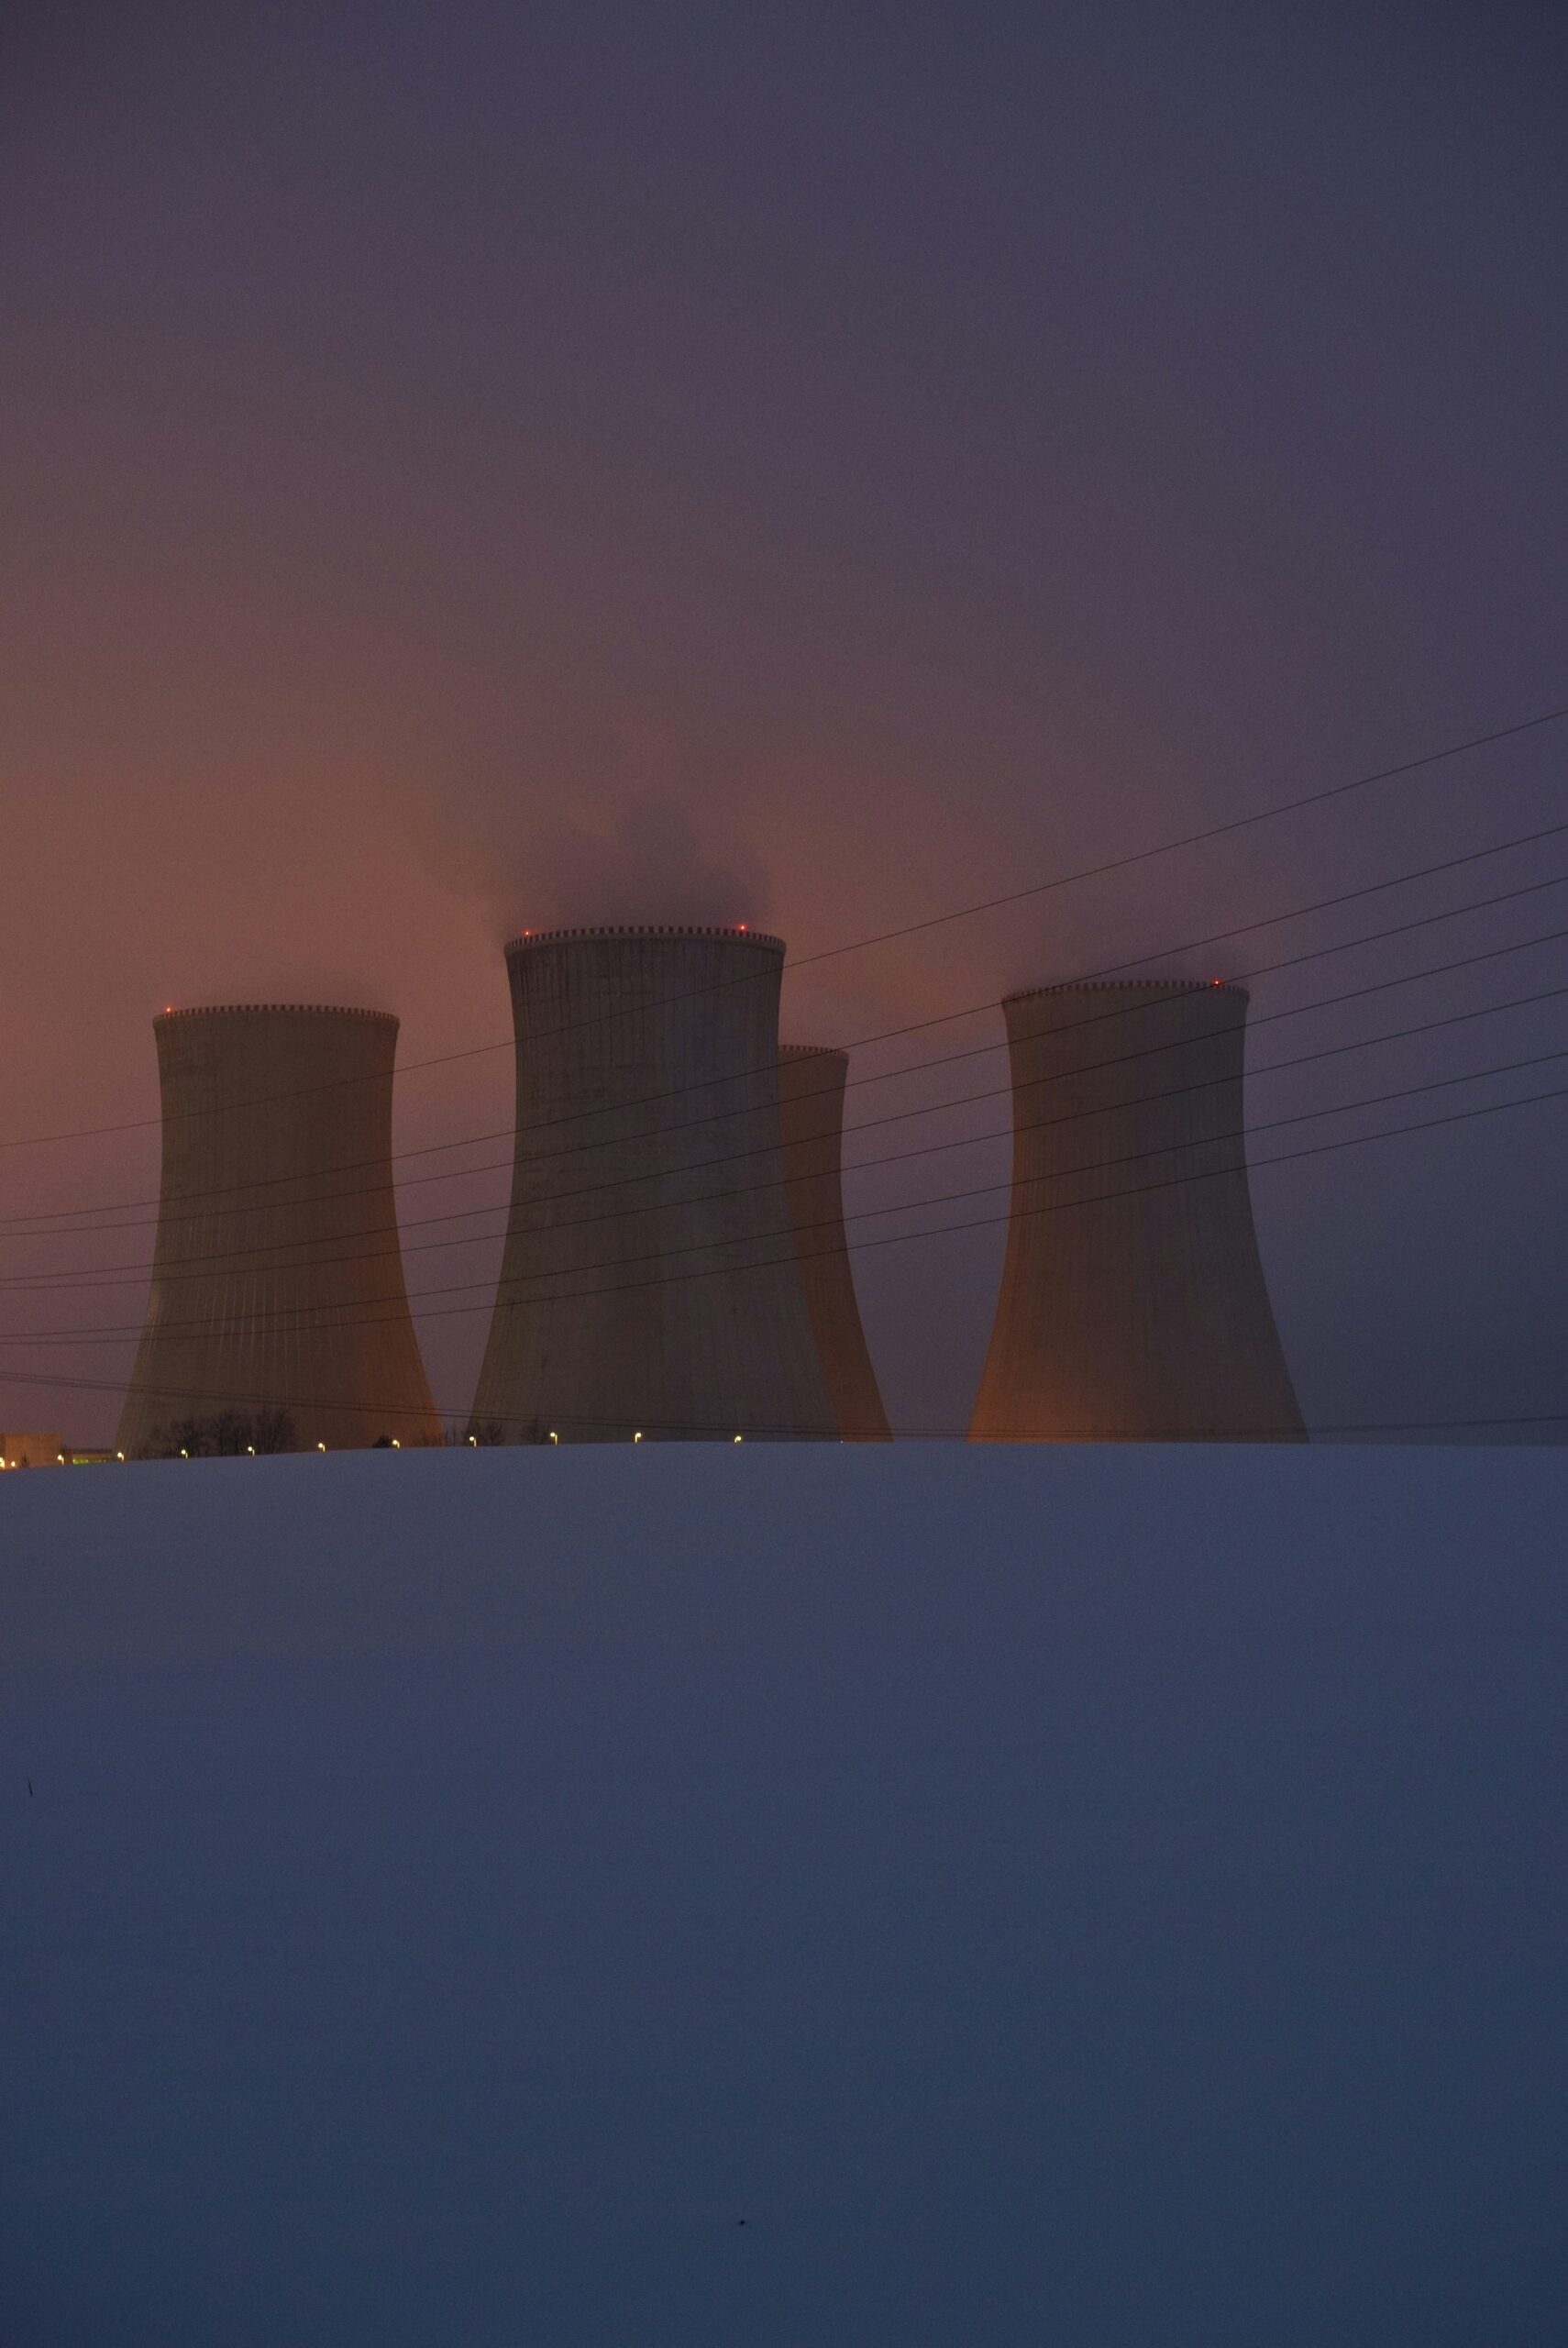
(649, 1281)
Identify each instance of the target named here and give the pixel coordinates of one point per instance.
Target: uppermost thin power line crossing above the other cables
(884, 938)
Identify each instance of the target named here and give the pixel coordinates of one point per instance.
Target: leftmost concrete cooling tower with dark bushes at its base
(278, 1278)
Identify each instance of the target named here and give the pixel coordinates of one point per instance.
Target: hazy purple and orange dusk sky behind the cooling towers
(489, 466)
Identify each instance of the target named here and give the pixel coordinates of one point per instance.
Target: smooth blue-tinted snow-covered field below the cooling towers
(1109, 1898)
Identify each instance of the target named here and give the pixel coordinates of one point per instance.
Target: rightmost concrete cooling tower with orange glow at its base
(1133, 1297)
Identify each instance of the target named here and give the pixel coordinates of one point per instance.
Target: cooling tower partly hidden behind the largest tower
(811, 1124)
